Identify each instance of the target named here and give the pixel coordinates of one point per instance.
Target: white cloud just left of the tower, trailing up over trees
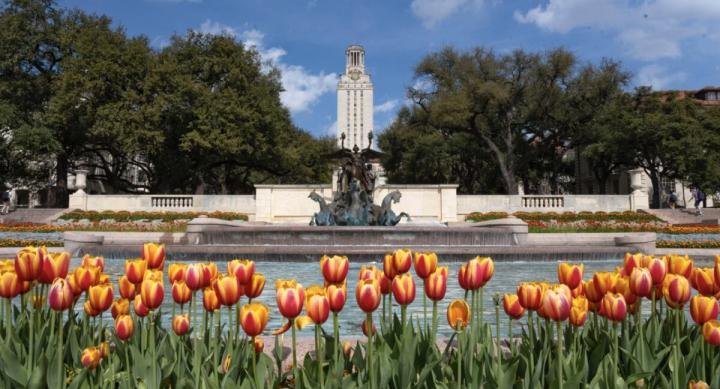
(301, 87)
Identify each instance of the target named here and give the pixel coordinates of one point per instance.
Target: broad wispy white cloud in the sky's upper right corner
(648, 30)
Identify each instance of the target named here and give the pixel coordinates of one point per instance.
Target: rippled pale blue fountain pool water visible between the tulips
(507, 276)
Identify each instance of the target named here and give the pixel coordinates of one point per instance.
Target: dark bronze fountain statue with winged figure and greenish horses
(352, 204)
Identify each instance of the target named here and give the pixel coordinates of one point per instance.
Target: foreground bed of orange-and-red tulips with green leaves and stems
(627, 328)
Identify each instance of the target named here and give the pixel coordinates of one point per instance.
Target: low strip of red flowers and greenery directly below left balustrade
(126, 216)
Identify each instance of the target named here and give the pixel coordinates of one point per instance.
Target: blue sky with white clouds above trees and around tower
(669, 44)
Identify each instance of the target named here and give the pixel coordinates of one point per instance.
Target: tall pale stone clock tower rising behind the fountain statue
(355, 103)
